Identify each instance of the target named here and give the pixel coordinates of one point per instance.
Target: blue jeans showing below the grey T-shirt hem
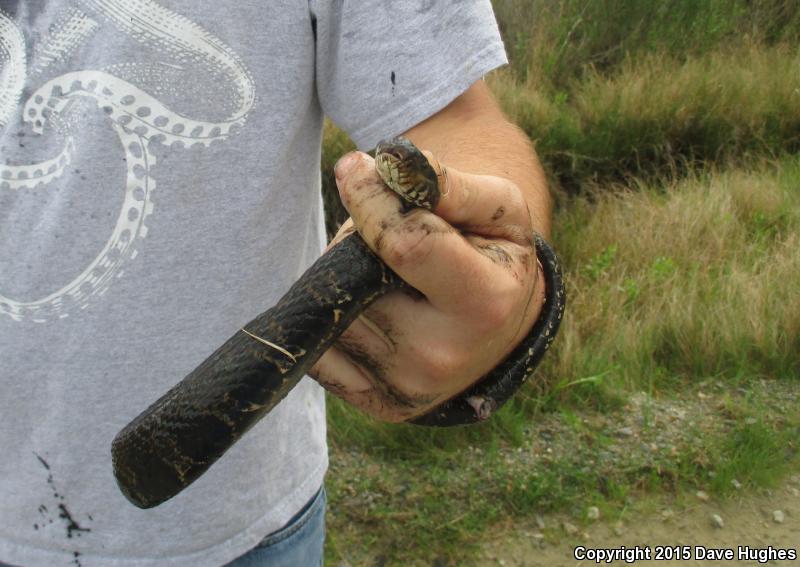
(298, 543)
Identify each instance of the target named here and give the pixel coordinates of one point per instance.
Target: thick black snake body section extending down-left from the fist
(183, 433)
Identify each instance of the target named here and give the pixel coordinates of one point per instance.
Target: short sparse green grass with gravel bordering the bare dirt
(437, 509)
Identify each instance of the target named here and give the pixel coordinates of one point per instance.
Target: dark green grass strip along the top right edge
(554, 42)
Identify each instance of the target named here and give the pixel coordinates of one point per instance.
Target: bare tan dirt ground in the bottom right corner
(757, 520)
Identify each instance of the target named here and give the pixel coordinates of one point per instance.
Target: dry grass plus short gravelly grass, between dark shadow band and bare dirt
(675, 291)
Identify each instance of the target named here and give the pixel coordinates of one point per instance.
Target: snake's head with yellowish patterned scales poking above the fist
(407, 172)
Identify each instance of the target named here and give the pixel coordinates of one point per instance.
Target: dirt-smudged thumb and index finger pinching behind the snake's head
(454, 271)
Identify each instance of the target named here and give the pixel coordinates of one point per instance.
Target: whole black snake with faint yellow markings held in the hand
(175, 440)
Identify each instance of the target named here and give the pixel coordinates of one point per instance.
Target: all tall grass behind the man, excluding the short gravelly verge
(676, 268)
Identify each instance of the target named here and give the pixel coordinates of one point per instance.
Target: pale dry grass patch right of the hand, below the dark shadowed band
(683, 283)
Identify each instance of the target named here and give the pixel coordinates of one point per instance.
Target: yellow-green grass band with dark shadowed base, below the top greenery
(657, 115)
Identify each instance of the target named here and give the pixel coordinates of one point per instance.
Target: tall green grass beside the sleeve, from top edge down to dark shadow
(614, 88)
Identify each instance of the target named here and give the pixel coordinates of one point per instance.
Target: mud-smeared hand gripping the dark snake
(478, 290)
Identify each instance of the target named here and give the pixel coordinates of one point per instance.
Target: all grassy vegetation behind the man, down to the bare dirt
(670, 132)
